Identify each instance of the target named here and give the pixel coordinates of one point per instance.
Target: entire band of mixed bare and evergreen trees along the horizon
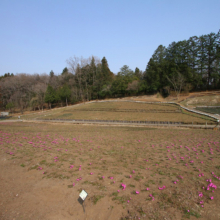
(188, 65)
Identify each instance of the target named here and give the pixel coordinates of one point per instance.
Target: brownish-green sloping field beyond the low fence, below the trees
(127, 111)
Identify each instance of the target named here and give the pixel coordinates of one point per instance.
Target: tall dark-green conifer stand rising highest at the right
(196, 60)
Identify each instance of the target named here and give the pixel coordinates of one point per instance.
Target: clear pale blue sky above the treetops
(37, 36)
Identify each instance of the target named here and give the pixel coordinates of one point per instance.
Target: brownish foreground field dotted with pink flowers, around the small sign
(128, 172)
